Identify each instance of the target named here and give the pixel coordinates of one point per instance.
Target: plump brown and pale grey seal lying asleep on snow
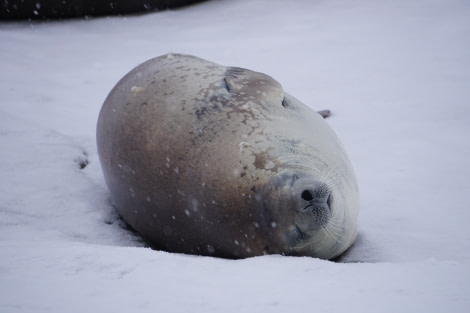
(211, 160)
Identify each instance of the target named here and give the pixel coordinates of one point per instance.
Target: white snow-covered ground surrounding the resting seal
(396, 75)
